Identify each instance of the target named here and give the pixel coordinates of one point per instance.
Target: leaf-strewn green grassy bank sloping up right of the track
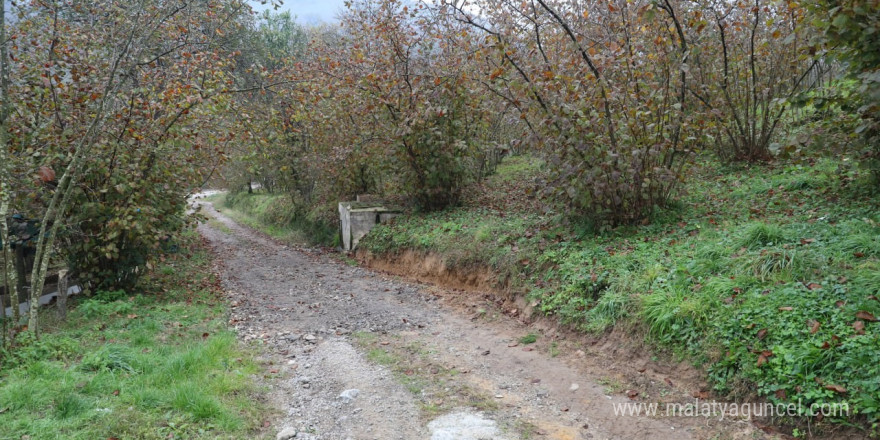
(732, 278)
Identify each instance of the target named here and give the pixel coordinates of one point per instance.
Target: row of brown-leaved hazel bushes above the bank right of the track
(407, 102)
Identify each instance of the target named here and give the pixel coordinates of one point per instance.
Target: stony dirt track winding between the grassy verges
(328, 329)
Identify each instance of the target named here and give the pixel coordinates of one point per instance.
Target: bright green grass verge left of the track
(159, 364)
